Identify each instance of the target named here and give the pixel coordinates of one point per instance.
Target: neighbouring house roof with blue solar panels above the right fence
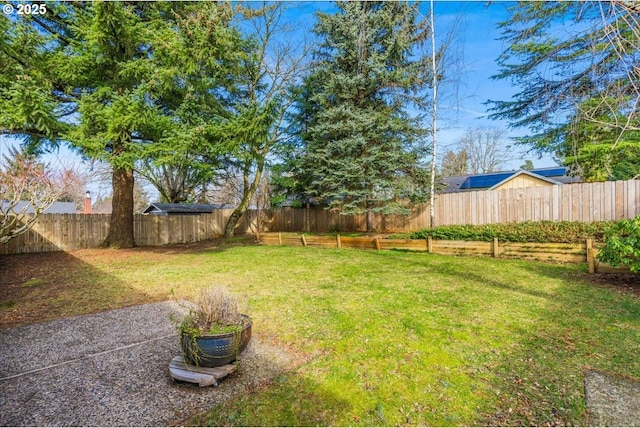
(471, 182)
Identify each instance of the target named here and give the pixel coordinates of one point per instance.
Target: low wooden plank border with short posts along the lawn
(558, 252)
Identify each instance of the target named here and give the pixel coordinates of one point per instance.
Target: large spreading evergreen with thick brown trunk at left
(122, 82)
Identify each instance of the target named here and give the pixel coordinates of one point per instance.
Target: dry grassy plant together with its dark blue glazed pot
(214, 332)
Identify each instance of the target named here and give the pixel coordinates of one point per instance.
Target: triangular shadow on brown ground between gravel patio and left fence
(38, 287)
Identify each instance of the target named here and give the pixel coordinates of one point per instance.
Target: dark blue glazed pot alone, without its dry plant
(213, 350)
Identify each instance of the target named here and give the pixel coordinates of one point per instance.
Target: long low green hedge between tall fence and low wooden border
(541, 231)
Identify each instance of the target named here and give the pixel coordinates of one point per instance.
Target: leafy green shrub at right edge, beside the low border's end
(622, 244)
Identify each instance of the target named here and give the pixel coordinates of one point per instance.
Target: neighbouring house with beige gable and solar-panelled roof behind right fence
(507, 180)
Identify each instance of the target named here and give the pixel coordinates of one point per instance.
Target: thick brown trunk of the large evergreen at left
(121, 227)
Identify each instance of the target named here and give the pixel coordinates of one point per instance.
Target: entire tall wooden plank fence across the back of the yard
(585, 202)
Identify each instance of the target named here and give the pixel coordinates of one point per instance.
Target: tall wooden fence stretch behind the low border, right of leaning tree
(586, 202)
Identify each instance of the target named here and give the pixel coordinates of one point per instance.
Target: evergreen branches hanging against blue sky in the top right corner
(578, 64)
